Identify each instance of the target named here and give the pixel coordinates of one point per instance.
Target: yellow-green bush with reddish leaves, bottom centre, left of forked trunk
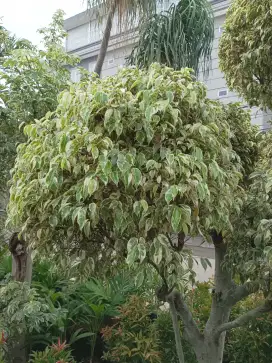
(133, 338)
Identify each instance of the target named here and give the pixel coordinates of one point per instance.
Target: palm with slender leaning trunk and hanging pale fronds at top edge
(128, 11)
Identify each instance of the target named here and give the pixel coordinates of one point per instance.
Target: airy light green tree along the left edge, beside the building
(31, 80)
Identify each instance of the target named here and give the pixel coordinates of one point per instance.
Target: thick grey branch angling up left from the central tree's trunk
(192, 332)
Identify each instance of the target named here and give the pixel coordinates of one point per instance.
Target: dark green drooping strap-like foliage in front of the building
(180, 37)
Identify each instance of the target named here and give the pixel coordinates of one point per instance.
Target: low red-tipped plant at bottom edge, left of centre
(56, 353)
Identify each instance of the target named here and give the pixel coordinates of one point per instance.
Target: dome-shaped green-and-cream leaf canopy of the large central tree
(133, 157)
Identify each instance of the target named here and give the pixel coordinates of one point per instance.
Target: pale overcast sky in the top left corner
(24, 17)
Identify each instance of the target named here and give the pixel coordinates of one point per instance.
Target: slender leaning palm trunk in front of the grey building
(105, 39)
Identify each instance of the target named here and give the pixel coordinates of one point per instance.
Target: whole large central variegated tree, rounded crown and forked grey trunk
(130, 166)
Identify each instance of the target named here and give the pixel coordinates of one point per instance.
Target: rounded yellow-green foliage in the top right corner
(245, 49)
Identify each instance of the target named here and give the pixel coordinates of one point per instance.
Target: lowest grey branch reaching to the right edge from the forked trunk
(252, 314)
